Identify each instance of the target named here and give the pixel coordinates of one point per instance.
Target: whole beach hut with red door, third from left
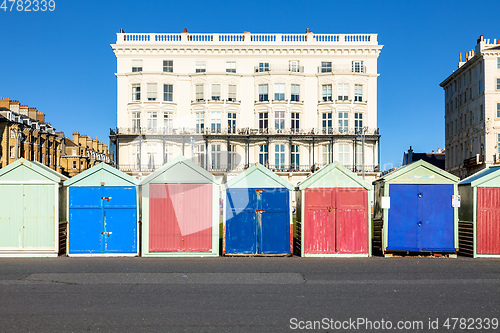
(180, 211)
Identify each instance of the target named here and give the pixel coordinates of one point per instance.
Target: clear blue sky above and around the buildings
(61, 61)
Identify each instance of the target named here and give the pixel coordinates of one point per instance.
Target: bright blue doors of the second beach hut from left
(102, 220)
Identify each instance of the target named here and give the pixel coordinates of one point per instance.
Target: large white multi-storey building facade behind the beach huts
(293, 102)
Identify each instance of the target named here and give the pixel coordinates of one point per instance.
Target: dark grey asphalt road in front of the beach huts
(247, 294)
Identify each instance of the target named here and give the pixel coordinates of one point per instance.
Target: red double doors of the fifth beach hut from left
(336, 221)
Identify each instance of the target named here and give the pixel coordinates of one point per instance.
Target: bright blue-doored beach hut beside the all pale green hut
(103, 213)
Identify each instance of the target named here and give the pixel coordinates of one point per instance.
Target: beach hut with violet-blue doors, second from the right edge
(415, 210)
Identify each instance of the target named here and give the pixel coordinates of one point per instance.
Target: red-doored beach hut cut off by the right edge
(479, 214)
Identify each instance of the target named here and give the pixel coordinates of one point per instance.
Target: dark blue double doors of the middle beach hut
(258, 221)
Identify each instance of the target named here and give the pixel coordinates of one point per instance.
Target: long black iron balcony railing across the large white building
(240, 131)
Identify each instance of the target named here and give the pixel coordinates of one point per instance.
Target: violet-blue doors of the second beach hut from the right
(421, 218)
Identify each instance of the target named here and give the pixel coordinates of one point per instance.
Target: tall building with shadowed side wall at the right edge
(472, 110)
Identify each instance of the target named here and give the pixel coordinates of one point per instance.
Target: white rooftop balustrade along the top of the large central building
(245, 38)
